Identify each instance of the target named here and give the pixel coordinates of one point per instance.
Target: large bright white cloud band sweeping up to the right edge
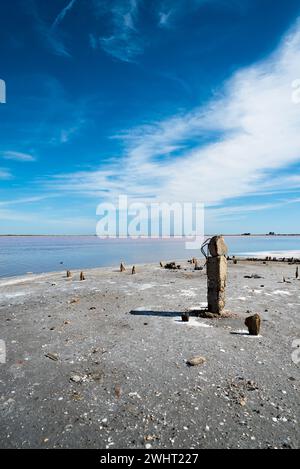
(257, 124)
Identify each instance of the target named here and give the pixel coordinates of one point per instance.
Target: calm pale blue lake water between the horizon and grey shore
(19, 255)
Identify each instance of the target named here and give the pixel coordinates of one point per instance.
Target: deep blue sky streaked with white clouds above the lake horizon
(174, 101)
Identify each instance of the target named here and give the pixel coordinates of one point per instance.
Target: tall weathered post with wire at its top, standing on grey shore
(216, 274)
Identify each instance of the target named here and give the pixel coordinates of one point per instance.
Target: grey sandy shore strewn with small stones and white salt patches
(119, 378)
